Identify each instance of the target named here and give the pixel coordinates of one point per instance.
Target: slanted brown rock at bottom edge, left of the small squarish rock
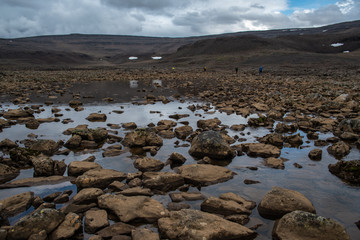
(67, 228)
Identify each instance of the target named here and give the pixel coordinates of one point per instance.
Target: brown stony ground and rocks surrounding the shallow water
(110, 204)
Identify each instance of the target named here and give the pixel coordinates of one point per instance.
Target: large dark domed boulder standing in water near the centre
(211, 144)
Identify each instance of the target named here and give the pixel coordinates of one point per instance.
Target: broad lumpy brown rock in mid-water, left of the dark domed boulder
(141, 138)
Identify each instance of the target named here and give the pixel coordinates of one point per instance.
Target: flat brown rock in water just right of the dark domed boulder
(261, 150)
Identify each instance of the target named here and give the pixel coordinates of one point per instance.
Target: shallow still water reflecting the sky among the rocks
(331, 197)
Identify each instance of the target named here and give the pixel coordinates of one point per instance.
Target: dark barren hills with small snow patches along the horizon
(284, 46)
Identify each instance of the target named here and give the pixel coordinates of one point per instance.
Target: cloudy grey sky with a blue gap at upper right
(169, 18)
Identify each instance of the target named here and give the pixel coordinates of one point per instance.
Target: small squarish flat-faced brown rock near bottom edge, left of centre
(95, 220)
